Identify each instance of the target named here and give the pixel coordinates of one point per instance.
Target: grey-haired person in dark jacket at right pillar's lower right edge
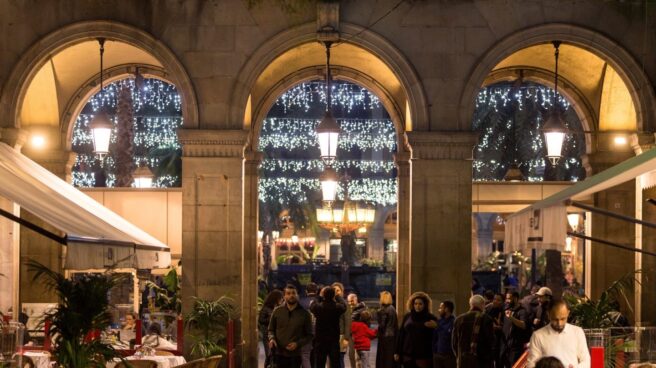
(473, 336)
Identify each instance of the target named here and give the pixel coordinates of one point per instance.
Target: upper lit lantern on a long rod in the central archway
(328, 129)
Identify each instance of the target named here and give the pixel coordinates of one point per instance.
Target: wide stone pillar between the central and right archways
(441, 215)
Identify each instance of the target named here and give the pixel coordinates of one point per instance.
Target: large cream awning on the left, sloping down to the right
(96, 237)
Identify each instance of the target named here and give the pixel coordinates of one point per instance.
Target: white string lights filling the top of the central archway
(289, 172)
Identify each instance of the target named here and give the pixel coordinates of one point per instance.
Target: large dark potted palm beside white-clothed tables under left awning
(83, 307)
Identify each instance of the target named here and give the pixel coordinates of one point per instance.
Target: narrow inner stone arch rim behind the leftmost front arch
(92, 86)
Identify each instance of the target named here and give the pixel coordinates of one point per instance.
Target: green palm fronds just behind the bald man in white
(588, 313)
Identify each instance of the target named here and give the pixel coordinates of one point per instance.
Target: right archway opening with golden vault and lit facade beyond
(603, 103)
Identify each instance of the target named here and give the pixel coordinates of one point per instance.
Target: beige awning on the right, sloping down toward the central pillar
(543, 225)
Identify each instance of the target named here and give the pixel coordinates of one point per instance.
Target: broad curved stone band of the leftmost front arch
(32, 60)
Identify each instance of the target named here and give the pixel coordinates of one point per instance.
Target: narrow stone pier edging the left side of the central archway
(250, 259)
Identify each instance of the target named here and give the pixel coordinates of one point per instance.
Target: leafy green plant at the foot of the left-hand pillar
(207, 322)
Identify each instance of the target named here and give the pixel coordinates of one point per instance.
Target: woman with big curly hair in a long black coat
(413, 348)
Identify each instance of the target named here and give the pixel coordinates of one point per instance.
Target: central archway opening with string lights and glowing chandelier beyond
(297, 244)
